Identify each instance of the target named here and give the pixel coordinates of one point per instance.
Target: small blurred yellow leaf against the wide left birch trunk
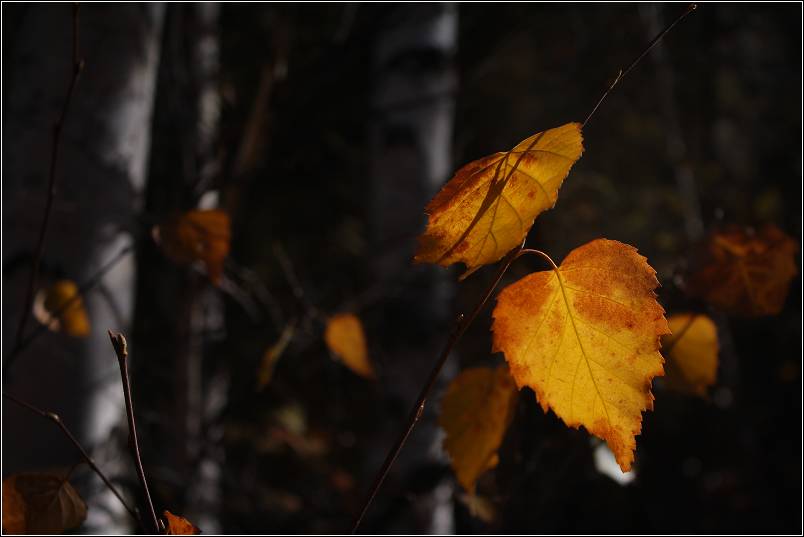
(61, 309)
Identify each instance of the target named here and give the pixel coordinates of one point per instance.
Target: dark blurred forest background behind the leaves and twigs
(323, 130)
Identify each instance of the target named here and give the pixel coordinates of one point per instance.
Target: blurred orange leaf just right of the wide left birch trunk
(199, 235)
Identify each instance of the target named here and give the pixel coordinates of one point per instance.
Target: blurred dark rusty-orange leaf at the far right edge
(744, 273)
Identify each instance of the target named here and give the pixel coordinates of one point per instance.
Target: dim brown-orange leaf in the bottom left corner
(40, 503)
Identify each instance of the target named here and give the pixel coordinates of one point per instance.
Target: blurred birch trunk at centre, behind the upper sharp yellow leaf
(410, 136)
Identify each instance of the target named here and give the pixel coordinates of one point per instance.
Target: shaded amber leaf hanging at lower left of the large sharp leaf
(476, 410)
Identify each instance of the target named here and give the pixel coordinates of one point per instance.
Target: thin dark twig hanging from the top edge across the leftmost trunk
(78, 67)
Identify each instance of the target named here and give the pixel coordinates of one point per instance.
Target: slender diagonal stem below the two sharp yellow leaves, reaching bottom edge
(461, 324)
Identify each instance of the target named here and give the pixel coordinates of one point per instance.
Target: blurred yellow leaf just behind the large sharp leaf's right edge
(691, 353)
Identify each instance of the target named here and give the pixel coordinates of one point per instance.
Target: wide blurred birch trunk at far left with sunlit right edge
(100, 178)
